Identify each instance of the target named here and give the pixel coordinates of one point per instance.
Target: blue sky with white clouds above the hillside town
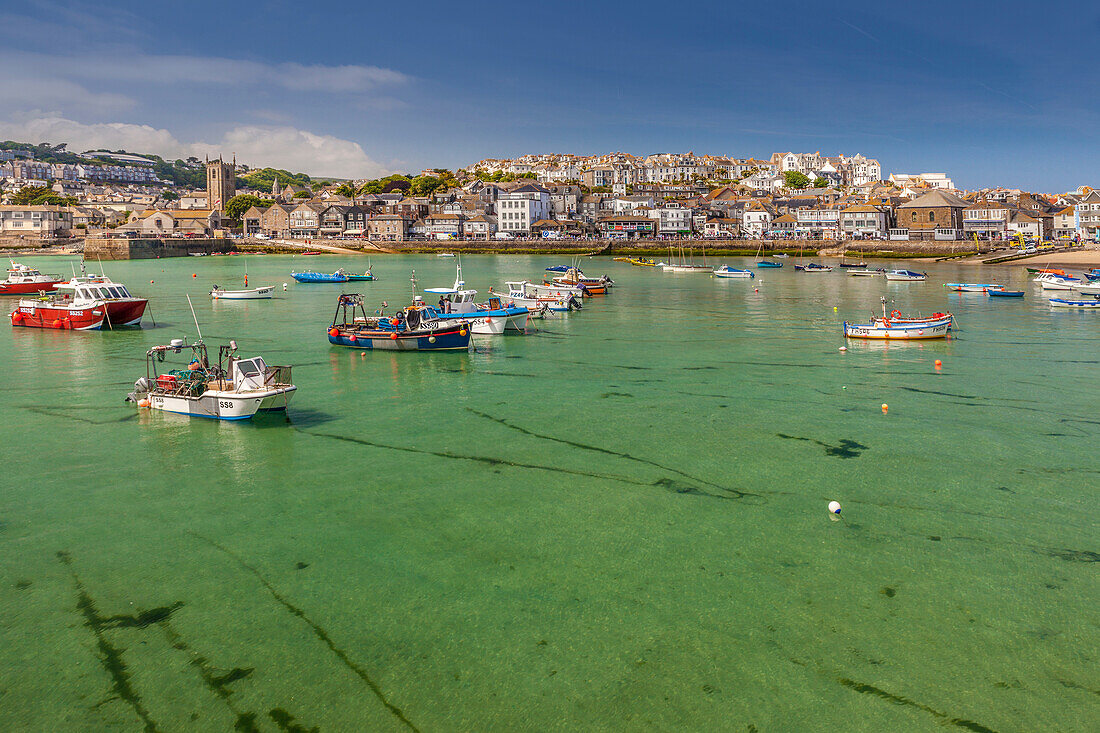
(989, 94)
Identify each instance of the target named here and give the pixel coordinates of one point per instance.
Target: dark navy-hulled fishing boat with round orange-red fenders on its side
(414, 329)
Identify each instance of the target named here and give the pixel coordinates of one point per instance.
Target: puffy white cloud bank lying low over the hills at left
(257, 146)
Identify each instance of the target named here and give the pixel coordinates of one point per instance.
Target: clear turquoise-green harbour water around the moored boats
(615, 523)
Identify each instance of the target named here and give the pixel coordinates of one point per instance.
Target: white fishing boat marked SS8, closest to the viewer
(233, 390)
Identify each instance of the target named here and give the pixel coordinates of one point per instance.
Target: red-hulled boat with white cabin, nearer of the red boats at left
(85, 304)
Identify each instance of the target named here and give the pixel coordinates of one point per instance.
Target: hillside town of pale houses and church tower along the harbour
(615, 196)
